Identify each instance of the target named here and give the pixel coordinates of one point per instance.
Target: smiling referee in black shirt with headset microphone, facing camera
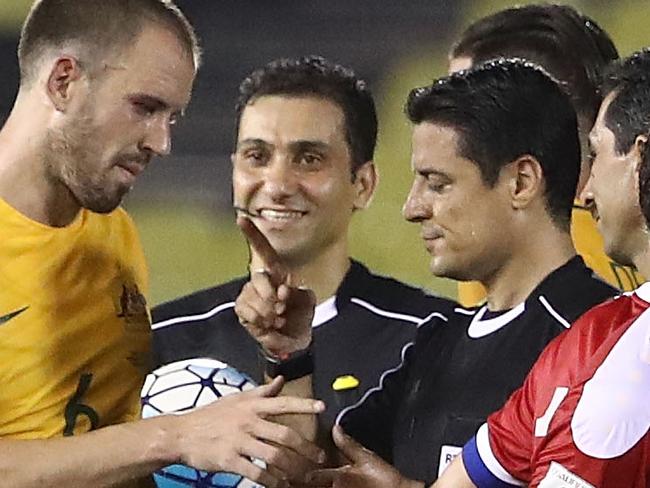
(302, 167)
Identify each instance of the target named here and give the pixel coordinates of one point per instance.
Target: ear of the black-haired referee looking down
(525, 180)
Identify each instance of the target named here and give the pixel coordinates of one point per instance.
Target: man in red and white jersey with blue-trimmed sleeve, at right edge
(581, 418)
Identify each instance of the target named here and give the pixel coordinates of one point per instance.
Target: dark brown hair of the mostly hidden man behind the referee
(569, 45)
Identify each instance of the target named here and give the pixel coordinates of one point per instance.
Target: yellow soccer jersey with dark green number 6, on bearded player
(74, 327)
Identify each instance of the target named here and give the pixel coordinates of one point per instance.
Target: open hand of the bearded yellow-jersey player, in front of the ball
(225, 435)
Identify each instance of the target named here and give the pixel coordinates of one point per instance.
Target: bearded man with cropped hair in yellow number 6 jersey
(102, 81)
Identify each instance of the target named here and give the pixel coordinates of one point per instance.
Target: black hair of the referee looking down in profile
(504, 109)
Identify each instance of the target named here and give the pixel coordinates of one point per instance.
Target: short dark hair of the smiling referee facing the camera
(316, 76)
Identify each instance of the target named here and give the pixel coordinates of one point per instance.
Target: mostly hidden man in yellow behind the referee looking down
(574, 49)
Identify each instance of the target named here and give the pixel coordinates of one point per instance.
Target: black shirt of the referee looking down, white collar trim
(462, 368)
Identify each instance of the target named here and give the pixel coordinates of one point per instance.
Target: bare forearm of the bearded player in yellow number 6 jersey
(106, 457)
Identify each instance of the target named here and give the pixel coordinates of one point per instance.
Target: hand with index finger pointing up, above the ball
(276, 312)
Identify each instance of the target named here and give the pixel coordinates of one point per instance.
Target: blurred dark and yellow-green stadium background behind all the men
(182, 203)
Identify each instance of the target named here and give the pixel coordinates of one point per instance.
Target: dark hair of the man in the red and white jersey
(628, 114)
